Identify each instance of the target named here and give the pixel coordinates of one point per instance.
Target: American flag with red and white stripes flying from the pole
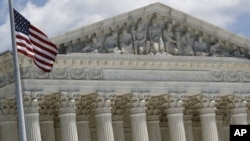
(33, 43)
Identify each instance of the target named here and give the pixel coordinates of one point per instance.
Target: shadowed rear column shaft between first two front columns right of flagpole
(47, 128)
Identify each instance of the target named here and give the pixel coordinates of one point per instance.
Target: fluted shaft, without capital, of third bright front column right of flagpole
(104, 124)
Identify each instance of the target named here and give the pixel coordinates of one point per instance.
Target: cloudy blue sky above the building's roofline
(58, 16)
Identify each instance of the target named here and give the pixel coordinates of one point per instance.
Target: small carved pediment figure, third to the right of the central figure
(200, 47)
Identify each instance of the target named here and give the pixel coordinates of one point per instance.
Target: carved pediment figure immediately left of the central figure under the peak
(141, 46)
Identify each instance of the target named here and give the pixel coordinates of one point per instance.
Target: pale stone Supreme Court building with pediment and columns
(151, 74)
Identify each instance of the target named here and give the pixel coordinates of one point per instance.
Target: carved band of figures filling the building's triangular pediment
(157, 36)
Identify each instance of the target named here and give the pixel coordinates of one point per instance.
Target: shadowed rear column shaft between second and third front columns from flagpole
(83, 128)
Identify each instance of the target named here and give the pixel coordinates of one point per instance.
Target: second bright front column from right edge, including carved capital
(208, 120)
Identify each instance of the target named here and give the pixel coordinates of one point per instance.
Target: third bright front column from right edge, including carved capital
(175, 118)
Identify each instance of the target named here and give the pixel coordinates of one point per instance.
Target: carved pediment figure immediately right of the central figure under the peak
(170, 43)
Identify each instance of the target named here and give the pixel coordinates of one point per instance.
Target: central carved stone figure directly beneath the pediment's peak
(155, 36)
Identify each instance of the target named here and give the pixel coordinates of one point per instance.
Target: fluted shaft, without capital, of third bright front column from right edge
(176, 124)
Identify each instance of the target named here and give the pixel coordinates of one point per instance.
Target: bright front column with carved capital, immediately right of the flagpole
(31, 114)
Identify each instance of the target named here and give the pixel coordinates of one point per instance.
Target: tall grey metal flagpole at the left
(18, 86)
